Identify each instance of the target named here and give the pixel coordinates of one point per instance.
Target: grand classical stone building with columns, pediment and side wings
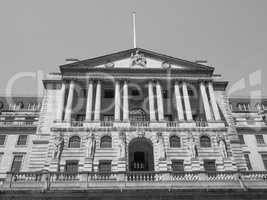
(134, 120)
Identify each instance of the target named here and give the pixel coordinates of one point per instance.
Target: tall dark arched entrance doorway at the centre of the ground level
(141, 155)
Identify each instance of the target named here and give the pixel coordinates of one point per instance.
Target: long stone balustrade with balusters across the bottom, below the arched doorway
(51, 179)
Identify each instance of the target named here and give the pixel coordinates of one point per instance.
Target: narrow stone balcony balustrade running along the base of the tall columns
(166, 125)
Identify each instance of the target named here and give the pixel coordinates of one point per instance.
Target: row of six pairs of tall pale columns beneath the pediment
(183, 107)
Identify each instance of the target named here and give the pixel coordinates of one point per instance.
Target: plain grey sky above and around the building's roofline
(37, 36)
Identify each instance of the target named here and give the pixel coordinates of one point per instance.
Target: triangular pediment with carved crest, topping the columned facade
(138, 59)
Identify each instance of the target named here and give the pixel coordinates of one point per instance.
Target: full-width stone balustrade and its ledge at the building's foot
(193, 180)
